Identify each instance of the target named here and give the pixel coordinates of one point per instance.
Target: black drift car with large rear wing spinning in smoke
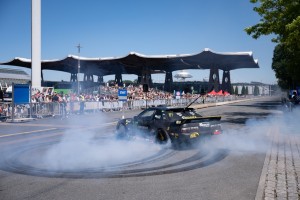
(160, 124)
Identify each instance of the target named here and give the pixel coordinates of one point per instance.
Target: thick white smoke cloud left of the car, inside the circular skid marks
(81, 150)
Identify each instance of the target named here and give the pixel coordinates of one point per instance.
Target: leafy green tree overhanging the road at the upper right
(281, 18)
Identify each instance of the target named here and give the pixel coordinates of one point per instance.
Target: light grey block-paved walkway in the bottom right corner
(280, 179)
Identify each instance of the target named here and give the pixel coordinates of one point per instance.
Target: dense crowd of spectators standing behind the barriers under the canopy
(103, 93)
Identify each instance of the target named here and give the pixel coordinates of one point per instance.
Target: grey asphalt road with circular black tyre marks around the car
(79, 158)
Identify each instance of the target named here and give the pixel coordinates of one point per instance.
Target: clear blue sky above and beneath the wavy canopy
(108, 28)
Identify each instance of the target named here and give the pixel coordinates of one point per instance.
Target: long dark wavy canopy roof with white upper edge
(134, 63)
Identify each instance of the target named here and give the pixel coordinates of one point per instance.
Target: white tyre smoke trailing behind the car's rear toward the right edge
(257, 134)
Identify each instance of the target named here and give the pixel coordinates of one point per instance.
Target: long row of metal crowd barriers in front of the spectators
(48, 109)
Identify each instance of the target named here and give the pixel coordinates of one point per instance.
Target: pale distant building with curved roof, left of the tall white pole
(9, 76)
